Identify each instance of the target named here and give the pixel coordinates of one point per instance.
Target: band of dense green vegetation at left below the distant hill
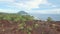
(15, 16)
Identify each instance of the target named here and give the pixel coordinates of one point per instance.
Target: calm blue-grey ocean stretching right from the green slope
(55, 17)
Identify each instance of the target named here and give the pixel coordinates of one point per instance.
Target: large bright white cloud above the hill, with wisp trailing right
(30, 4)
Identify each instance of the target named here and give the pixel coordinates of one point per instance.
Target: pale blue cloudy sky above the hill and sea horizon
(30, 6)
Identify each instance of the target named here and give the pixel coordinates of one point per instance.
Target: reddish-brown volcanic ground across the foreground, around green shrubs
(10, 27)
